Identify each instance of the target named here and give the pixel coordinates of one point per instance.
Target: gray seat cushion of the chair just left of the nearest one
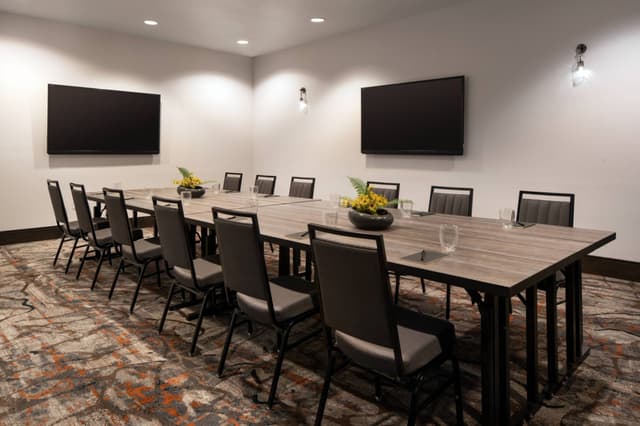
(291, 296)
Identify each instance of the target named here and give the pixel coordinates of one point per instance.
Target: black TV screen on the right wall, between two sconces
(422, 117)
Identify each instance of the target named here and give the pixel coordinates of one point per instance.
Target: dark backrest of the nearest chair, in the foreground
(354, 286)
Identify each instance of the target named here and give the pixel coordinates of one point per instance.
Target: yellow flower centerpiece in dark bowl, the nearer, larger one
(367, 210)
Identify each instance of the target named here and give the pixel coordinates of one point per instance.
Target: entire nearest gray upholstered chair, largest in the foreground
(363, 324)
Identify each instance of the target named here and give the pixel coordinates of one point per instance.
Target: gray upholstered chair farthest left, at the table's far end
(70, 230)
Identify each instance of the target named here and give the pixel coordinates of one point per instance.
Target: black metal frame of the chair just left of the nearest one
(281, 328)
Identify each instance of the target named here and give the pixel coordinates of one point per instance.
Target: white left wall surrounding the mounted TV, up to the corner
(205, 120)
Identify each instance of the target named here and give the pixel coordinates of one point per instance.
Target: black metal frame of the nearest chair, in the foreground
(414, 381)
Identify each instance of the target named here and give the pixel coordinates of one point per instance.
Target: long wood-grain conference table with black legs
(491, 263)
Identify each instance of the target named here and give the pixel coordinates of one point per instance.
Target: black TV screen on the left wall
(82, 120)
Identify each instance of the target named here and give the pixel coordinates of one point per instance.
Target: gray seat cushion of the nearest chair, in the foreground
(422, 339)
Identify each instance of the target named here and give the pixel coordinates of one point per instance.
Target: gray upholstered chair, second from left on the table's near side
(99, 241)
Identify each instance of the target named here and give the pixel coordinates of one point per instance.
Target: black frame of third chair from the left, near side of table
(140, 264)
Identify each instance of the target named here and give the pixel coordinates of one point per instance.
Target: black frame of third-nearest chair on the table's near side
(208, 295)
